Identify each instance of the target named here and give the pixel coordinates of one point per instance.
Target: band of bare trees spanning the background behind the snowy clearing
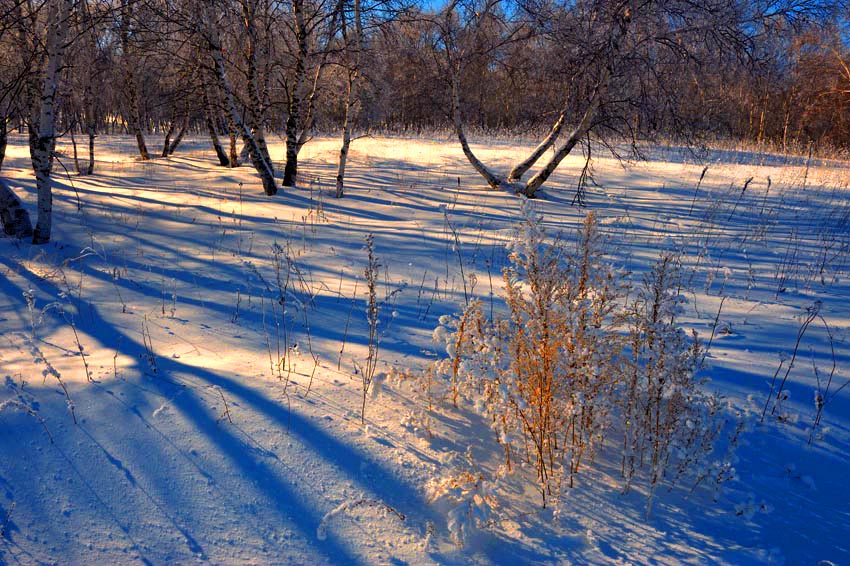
(582, 72)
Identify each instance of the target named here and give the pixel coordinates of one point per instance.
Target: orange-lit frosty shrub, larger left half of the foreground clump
(543, 374)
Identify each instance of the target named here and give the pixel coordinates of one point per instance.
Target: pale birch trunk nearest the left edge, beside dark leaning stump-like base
(42, 149)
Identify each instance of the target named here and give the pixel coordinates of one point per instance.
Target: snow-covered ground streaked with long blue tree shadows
(193, 444)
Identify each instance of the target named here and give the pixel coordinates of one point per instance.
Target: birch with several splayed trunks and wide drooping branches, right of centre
(613, 50)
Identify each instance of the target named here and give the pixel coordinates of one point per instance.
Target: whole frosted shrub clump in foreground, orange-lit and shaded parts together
(573, 362)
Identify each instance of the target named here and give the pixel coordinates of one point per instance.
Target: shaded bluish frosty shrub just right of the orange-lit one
(669, 423)
